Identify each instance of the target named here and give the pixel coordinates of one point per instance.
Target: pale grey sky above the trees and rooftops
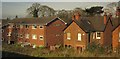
(11, 8)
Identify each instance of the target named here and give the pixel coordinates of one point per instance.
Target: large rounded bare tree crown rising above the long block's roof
(40, 10)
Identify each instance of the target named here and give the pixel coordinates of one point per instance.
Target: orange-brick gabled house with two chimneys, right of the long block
(83, 31)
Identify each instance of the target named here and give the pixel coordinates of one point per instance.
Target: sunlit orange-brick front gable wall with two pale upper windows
(74, 29)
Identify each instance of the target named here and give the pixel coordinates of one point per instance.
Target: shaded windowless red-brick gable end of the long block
(54, 34)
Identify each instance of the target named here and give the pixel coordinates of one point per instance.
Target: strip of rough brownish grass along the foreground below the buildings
(44, 52)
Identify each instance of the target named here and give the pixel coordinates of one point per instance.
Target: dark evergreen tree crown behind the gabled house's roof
(94, 10)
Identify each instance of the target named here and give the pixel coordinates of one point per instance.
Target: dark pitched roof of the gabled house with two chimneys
(91, 24)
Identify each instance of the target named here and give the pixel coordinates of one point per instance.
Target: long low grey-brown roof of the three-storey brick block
(41, 21)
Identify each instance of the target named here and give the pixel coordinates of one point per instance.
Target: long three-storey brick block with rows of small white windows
(45, 31)
